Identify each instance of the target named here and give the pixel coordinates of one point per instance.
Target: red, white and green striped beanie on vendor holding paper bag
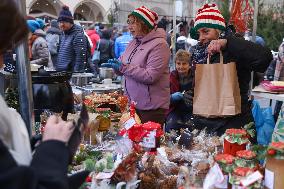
(209, 16)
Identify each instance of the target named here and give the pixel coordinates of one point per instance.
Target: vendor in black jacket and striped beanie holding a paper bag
(247, 55)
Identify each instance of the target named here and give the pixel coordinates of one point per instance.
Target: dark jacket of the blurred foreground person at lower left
(48, 169)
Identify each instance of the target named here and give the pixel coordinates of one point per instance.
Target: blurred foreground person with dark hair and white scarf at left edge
(19, 168)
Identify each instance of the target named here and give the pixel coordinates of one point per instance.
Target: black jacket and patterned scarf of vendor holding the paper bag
(248, 57)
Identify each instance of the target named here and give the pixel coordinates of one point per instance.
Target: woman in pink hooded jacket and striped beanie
(144, 65)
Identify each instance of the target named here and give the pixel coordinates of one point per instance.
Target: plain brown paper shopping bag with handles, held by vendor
(216, 91)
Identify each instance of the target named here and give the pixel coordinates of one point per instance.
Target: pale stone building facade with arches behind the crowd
(99, 10)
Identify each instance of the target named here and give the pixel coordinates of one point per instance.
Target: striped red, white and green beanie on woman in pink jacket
(148, 16)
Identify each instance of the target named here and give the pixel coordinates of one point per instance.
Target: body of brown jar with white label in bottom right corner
(274, 173)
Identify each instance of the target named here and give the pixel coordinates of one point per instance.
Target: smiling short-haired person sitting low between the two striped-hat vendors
(181, 86)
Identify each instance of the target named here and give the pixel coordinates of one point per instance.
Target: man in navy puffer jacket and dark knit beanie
(73, 46)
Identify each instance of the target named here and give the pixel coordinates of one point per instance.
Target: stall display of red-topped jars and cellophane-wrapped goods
(119, 152)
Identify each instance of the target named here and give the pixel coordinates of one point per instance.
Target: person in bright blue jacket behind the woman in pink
(122, 42)
